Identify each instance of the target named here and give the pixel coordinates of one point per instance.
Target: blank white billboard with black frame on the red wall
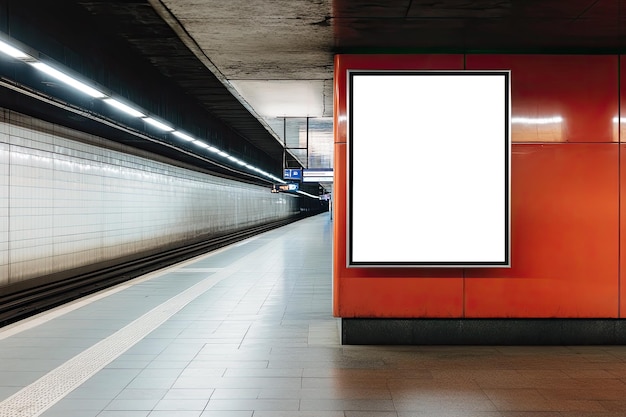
(428, 169)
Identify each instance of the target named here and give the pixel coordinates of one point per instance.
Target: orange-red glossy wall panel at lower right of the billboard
(564, 237)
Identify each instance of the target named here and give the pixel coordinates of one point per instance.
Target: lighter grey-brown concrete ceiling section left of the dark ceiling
(276, 54)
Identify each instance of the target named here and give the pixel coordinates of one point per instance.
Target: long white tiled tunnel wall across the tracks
(66, 203)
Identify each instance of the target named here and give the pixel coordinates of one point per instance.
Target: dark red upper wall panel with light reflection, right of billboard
(580, 89)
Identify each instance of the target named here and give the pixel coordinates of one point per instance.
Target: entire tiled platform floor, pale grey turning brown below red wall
(254, 337)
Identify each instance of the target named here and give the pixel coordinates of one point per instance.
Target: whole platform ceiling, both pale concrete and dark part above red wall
(278, 54)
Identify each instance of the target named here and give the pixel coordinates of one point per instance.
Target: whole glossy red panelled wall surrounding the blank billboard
(565, 201)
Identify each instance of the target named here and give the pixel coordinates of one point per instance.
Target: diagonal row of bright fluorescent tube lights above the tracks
(18, 54)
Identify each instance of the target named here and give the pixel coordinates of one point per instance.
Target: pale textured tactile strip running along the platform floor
(36, 398)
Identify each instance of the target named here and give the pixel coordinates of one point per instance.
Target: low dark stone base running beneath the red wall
(483, 331)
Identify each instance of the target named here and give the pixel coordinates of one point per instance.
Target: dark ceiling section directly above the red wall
(555, 26)
